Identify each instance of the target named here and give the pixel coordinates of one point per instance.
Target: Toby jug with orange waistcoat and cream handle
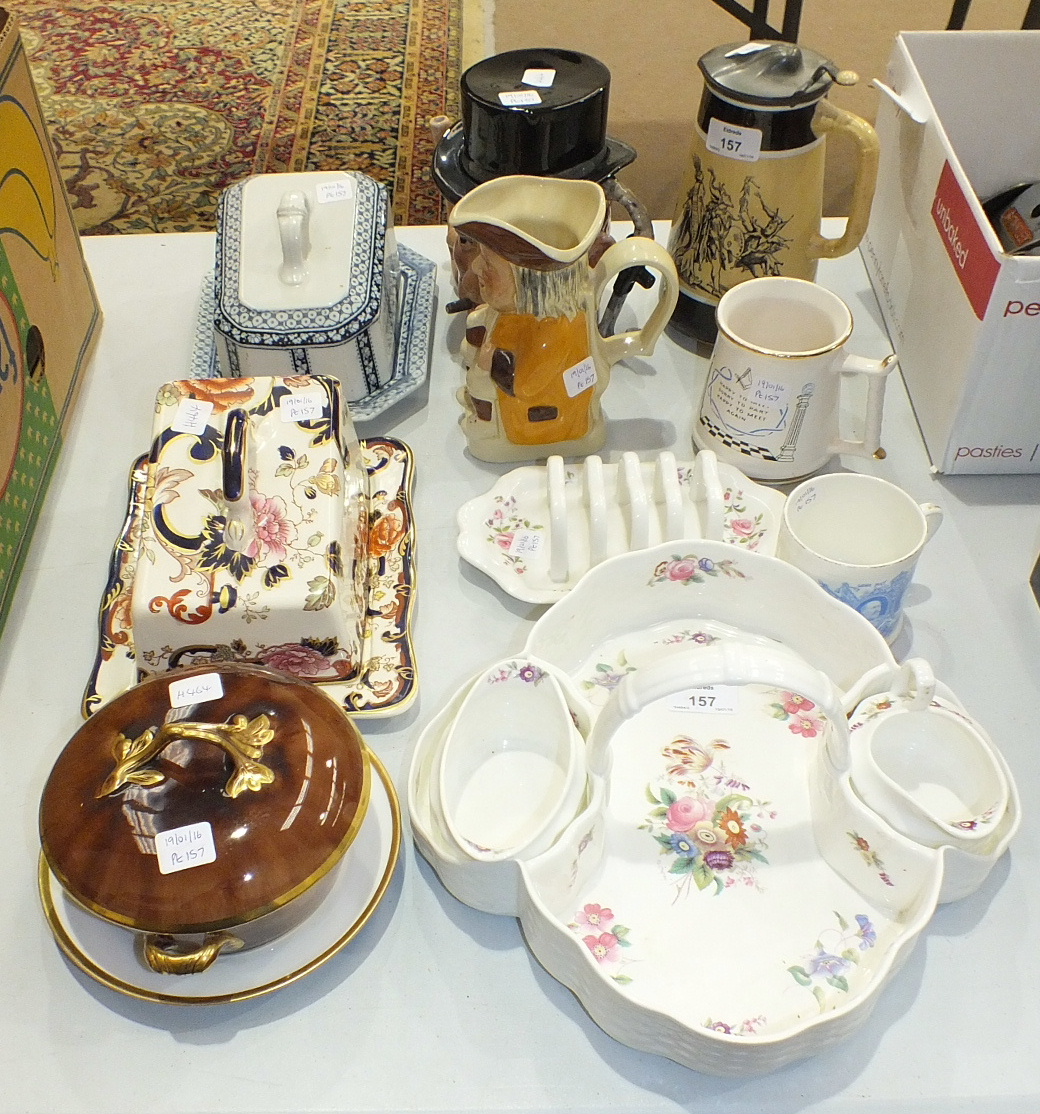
(537, 365)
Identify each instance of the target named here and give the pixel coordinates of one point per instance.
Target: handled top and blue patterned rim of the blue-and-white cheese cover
(336, 222)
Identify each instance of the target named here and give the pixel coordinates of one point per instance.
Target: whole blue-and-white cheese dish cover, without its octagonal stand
(307, 280)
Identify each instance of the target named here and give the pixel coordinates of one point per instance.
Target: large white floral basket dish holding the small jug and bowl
(725, 898)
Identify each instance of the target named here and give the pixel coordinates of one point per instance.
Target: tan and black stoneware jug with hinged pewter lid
(752, 196)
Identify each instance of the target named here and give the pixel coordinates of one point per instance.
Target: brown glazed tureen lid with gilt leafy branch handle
(205, 816)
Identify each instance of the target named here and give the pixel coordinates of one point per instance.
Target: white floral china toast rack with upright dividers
(541, 529)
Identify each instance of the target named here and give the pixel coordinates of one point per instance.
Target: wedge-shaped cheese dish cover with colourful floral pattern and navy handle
(254, 521)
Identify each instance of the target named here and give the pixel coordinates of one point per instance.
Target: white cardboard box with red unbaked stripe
(957, 123)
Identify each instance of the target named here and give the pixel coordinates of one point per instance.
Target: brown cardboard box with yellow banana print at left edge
(50, 316)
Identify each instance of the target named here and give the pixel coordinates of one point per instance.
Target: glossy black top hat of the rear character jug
(538, 112)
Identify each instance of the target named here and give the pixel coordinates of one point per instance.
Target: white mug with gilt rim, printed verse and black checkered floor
(772, 399)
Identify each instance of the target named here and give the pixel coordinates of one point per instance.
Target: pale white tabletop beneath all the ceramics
(435, 1006)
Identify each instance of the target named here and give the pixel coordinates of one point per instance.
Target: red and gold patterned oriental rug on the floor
(155, 106)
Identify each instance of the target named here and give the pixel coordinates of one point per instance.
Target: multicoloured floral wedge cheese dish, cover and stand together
(261, 530)
